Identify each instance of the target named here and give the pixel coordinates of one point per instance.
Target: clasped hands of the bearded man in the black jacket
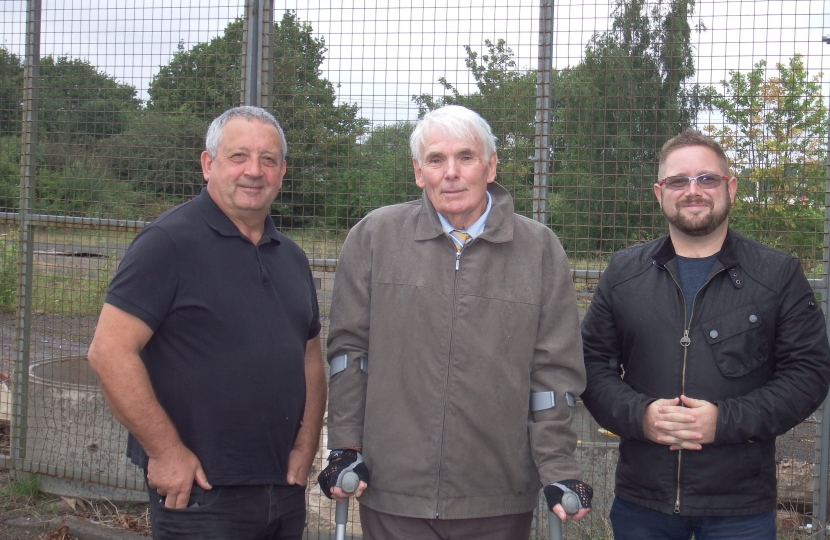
(681, 423)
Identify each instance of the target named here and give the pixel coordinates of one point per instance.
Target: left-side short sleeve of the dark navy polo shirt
(147, 278)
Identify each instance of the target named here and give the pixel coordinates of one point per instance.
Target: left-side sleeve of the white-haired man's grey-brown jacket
(349, 335)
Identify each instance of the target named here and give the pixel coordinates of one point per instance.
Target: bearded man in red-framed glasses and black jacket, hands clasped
(700, 348)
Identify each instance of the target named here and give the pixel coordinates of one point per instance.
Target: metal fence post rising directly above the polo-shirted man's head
(257, 62)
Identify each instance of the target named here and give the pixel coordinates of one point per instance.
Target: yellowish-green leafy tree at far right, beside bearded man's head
(774, 133)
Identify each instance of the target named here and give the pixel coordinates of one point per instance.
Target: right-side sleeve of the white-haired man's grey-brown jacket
(557, 366)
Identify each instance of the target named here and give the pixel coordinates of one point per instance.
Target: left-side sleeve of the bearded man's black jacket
(611, 401)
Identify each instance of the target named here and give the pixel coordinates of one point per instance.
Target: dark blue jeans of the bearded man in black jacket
(635, 522)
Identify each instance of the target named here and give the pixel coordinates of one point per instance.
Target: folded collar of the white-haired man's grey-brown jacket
(499, 227)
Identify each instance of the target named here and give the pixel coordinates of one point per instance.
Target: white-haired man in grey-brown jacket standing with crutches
(455, 353)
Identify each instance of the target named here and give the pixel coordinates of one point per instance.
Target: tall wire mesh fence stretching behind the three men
(103, 111)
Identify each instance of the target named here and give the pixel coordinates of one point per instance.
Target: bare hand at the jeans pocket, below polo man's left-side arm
(172, 474)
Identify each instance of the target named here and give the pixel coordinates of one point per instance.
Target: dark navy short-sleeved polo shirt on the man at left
(231, 321)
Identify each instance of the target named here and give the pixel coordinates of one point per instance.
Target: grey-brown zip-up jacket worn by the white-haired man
(443, 413)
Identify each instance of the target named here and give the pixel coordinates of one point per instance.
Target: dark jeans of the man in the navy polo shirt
(232, 513)
